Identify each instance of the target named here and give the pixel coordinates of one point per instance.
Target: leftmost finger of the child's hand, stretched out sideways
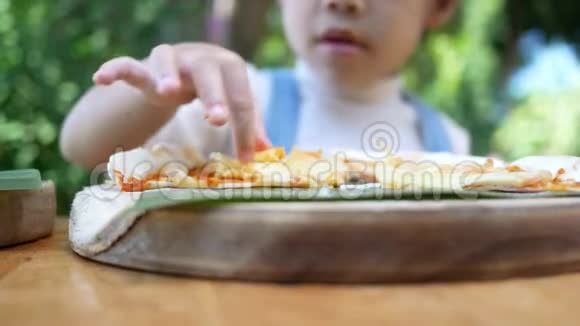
(127, 69)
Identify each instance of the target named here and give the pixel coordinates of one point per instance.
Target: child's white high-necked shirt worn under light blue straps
(328, 120)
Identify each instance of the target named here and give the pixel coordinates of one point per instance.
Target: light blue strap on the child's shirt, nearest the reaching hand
(283, 112)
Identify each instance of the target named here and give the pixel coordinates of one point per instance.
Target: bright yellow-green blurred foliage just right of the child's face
(458, 69)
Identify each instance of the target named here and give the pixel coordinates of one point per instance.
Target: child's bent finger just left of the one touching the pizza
(209, 86)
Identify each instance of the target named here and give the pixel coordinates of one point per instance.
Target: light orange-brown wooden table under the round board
(44, 283)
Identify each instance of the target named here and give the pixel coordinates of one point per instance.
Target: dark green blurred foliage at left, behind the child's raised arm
(50, 49)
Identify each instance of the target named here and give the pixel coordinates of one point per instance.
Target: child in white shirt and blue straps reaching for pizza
(345, 83)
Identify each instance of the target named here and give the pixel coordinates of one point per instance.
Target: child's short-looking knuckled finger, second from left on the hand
(164, 65)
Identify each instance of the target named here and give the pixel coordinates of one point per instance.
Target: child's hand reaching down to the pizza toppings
(176, 75)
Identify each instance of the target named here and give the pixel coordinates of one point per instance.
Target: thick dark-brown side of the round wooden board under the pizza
(357, 242)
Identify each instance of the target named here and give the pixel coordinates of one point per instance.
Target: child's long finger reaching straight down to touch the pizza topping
(241, 105)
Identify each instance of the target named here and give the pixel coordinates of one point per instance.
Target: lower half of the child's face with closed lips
(360, 41)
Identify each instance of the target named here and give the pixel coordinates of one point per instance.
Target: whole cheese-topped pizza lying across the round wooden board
(166, 166)
